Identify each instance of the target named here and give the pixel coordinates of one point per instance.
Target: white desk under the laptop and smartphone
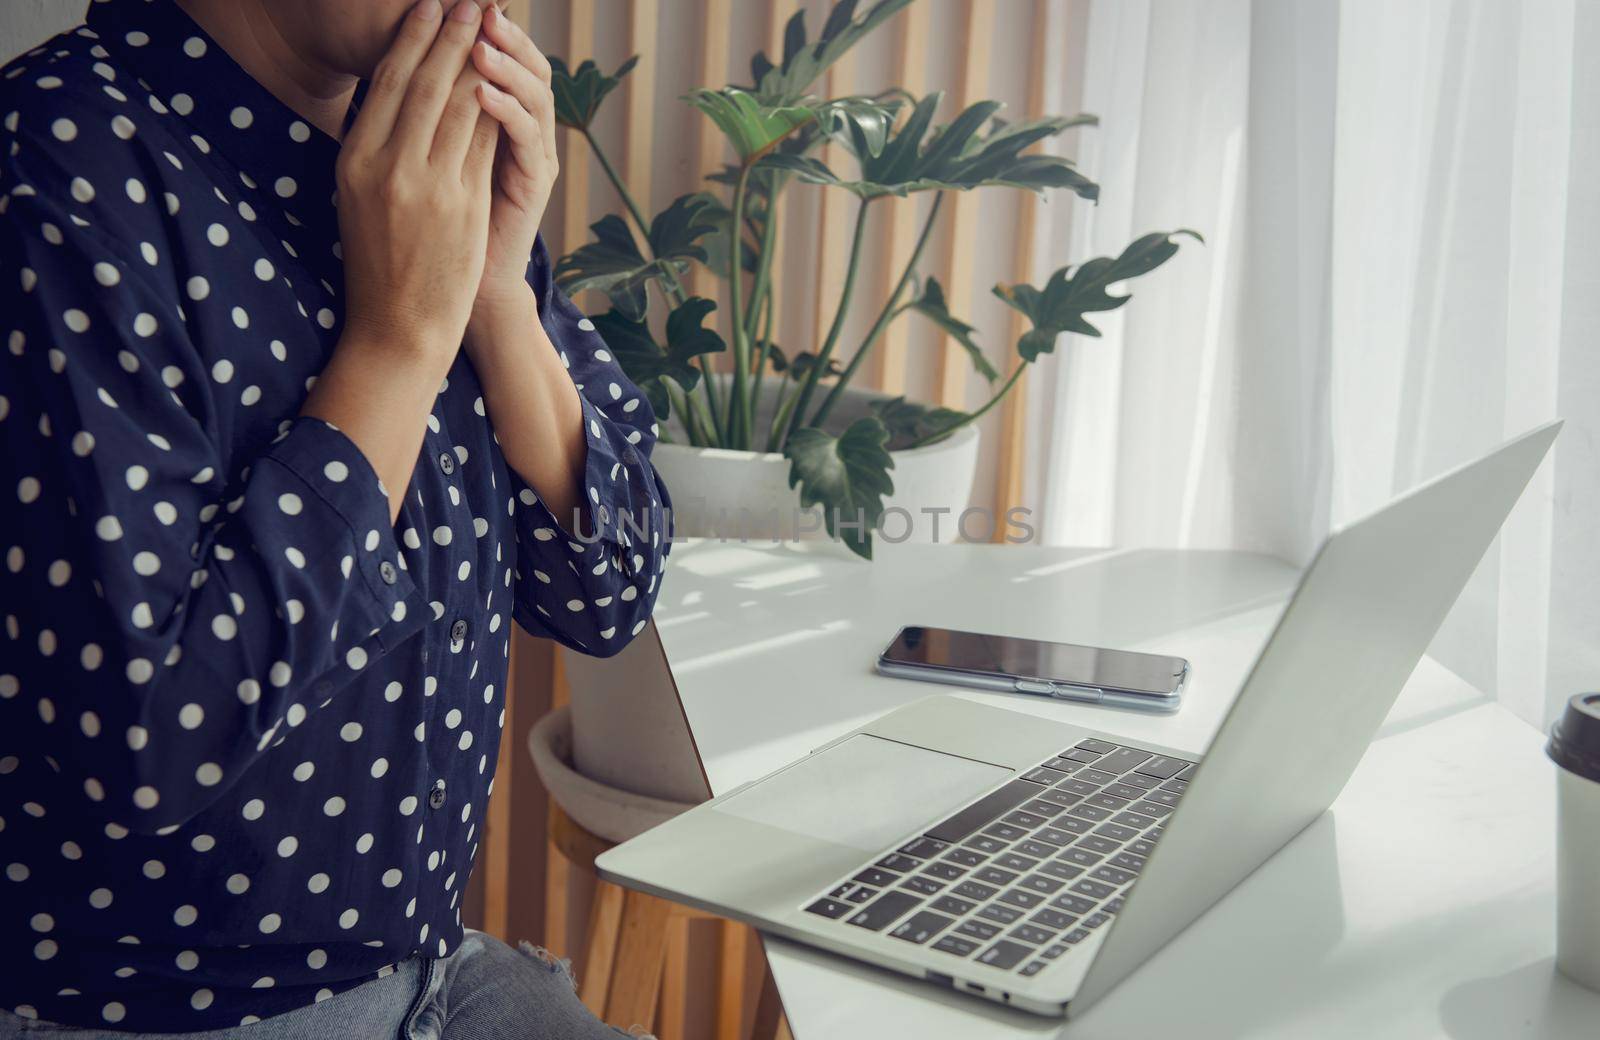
(1420, 906)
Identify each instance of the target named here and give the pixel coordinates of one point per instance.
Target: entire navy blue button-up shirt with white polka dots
(247, 724)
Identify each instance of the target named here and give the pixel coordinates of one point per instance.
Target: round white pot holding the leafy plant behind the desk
(746, 495)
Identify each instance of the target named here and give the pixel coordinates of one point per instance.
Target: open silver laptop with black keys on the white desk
(1036, 863)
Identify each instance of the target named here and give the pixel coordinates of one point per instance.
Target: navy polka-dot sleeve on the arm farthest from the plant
(185, 607)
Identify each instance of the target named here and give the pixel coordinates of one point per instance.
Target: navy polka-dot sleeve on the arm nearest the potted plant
(593, 593)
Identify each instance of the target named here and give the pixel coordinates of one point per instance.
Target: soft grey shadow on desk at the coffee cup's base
(1527, 1002)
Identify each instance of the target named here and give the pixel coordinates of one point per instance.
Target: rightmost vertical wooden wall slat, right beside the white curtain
(1014, 410)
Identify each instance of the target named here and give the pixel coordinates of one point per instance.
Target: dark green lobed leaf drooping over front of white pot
(847, 476)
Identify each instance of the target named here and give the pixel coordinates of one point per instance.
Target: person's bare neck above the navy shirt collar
(262, 44)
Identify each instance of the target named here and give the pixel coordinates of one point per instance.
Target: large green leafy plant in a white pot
(780, 431)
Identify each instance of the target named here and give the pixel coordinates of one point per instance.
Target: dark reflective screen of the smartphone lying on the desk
(1004, 655)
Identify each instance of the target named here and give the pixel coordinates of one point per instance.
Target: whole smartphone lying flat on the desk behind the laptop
(1065, 671)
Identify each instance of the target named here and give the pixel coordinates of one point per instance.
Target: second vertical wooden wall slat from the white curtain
(972, 84)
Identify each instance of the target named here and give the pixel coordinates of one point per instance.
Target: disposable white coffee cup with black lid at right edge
(1575, 746)
